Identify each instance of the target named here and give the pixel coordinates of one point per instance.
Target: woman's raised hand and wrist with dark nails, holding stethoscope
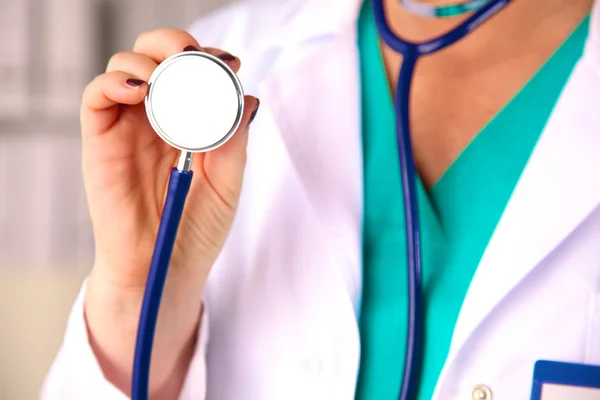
(126, 168)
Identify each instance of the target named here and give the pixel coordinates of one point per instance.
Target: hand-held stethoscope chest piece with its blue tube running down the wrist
(195, 103)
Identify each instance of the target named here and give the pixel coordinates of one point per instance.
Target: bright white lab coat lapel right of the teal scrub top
(559, 188)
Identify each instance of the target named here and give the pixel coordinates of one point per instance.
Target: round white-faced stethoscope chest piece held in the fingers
(195, 101)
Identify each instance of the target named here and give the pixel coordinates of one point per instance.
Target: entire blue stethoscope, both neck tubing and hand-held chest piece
(195, 103)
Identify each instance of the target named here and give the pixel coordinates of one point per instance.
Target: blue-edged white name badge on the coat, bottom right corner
(554, 380)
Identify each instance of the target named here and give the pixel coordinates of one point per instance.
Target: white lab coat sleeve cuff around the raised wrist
(76, 374)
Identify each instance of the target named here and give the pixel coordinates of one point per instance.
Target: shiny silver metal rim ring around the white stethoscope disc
(150, 110)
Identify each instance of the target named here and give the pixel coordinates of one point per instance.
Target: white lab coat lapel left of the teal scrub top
(315, 102)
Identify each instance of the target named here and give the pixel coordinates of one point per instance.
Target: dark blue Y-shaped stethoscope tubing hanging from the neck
(411, 52)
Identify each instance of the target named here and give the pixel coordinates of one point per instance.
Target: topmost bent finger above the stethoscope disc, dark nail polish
(160, 44)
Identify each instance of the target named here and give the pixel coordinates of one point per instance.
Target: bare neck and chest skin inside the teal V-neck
(468, 83)
